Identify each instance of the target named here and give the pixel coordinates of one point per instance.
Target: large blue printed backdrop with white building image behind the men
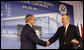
(47, 14)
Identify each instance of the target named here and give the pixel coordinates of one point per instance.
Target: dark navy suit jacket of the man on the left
(29, 38)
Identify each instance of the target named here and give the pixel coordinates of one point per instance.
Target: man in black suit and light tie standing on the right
(67, 34)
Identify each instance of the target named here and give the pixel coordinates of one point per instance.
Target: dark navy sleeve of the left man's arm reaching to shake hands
(32, 35)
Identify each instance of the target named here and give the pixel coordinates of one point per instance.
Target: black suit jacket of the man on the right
(65, 39)
